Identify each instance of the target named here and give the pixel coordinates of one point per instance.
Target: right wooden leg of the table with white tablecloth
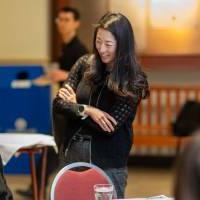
(43, 173)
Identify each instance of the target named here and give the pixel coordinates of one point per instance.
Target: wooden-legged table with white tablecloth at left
(11, 143)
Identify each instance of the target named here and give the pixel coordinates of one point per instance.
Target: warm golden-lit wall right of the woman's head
(163, 27)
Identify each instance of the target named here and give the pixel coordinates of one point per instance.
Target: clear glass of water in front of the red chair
(103, 191)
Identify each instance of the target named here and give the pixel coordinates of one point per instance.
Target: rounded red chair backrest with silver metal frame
(76, 185)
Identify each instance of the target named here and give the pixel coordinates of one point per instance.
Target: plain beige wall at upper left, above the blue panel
(24, 30)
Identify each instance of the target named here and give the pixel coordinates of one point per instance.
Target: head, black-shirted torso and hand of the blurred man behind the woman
(68, 22)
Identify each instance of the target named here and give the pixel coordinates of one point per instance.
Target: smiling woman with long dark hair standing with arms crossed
(101, 96)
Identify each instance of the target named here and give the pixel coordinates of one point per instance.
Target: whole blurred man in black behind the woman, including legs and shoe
(68, 22)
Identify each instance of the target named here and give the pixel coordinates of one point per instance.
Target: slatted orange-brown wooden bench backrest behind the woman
(156, 114)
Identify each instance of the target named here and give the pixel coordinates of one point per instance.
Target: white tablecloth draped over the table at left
(10, 143)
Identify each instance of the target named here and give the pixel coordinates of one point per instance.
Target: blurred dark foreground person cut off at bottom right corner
(187, 181)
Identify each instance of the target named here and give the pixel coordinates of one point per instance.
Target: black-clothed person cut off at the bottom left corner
(5, 193)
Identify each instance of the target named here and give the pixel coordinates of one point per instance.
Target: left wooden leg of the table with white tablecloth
(33, 176)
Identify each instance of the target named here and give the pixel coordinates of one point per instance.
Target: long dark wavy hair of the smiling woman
(126, 78)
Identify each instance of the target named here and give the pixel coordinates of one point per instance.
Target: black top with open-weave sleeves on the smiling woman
(109, 150)
